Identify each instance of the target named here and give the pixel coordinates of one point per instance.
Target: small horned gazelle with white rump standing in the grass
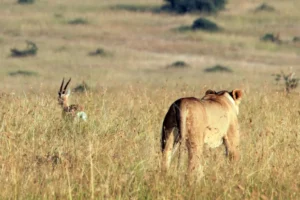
(74, 111)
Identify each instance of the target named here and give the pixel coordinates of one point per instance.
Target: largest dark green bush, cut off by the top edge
(184, 6)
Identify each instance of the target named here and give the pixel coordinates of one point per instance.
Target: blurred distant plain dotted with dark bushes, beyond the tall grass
(116, 43)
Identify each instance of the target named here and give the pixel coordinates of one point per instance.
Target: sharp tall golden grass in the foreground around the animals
(116, 154)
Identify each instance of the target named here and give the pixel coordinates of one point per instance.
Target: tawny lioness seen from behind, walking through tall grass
(211, 120)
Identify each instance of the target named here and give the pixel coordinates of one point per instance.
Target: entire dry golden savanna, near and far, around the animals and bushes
(132, 82)
